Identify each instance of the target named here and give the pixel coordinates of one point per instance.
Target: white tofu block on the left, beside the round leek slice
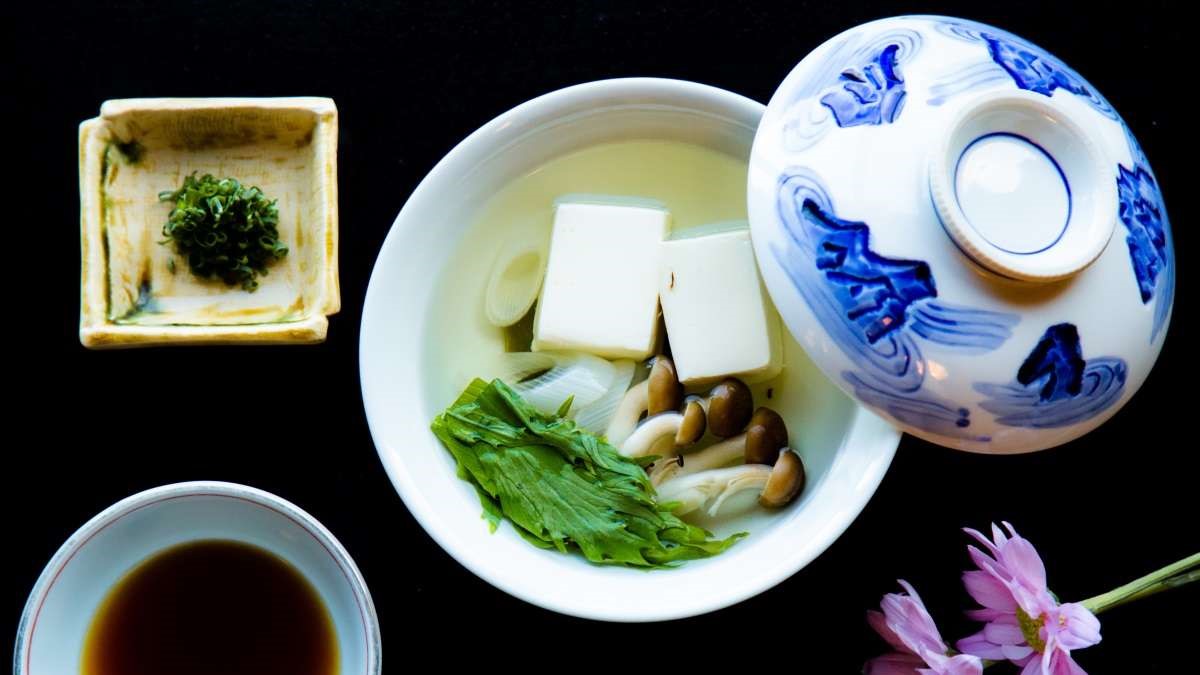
(601, 292)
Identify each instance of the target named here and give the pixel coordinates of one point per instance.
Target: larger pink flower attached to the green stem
(1024, 623)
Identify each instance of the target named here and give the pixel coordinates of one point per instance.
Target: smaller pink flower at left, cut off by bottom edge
(907, 625)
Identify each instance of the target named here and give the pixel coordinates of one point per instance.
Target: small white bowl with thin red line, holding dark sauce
(73, 587)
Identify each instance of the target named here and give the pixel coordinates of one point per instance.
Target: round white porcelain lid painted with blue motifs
(963, 234)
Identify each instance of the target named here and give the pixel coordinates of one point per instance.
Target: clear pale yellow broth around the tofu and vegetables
(699, 187)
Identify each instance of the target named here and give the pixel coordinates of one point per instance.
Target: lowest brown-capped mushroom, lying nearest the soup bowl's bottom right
(777, 485)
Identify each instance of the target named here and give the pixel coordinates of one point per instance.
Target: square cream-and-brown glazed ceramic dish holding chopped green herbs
(139, 292)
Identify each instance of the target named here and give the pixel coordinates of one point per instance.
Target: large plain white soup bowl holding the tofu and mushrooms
(847, 449)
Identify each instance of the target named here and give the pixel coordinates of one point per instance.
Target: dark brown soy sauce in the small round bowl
(212, 608)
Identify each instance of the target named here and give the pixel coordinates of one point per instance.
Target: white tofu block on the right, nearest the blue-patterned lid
(718, 320)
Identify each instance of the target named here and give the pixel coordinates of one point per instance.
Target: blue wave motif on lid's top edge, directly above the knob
(1030, 68)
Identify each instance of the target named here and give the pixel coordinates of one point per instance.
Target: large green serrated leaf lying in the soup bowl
(563, 487)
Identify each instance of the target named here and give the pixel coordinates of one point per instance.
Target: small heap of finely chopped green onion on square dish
(224, 230)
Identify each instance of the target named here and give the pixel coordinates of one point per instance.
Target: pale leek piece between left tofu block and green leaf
(571, 374)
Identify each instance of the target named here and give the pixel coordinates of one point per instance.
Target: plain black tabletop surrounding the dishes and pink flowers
(412, 80)
